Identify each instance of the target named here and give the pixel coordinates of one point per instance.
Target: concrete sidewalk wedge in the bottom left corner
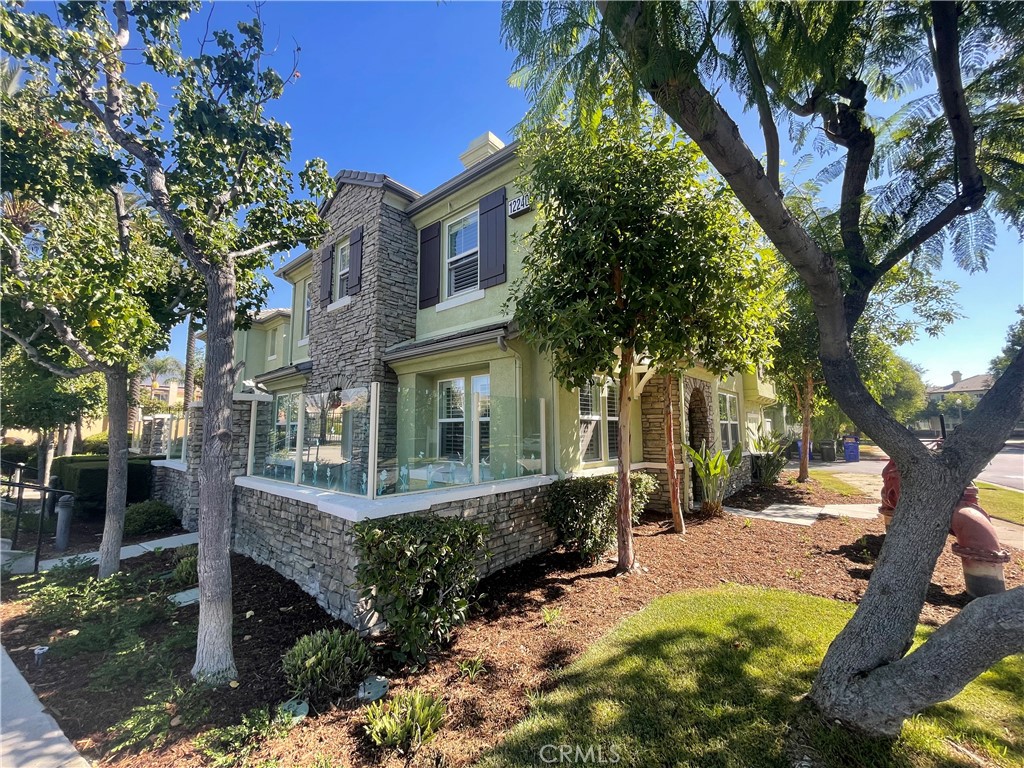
(30, 738)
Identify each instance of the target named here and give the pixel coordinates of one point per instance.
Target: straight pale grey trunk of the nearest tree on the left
(215, 659)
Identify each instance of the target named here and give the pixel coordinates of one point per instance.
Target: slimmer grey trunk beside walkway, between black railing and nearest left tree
(117, 471)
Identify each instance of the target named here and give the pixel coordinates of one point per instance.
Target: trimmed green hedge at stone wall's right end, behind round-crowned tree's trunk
(582, 510)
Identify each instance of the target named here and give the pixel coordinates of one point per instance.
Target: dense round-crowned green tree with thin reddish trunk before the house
(636, 254)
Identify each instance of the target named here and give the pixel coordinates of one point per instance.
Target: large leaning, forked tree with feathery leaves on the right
(930, 179)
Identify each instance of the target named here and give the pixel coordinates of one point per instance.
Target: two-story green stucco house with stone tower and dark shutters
(399, 383)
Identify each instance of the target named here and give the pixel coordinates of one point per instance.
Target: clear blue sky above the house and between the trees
(402, 89)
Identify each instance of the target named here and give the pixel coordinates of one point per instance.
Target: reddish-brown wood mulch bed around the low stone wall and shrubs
(832, 559)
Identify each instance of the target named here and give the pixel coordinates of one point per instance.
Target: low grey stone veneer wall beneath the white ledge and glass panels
(317, 549)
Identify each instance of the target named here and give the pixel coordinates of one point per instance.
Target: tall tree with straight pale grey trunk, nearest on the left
(212, 164)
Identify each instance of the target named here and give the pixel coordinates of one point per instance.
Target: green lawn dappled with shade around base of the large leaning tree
(713, 678)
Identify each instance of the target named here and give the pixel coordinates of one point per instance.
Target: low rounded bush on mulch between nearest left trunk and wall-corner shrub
(325, 666)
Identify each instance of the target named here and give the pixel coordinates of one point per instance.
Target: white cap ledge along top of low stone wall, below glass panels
(356, 508)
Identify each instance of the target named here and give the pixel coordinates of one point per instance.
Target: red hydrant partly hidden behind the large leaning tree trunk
(977, 543)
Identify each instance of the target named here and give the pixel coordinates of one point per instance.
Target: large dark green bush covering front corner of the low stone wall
(420, 572)
